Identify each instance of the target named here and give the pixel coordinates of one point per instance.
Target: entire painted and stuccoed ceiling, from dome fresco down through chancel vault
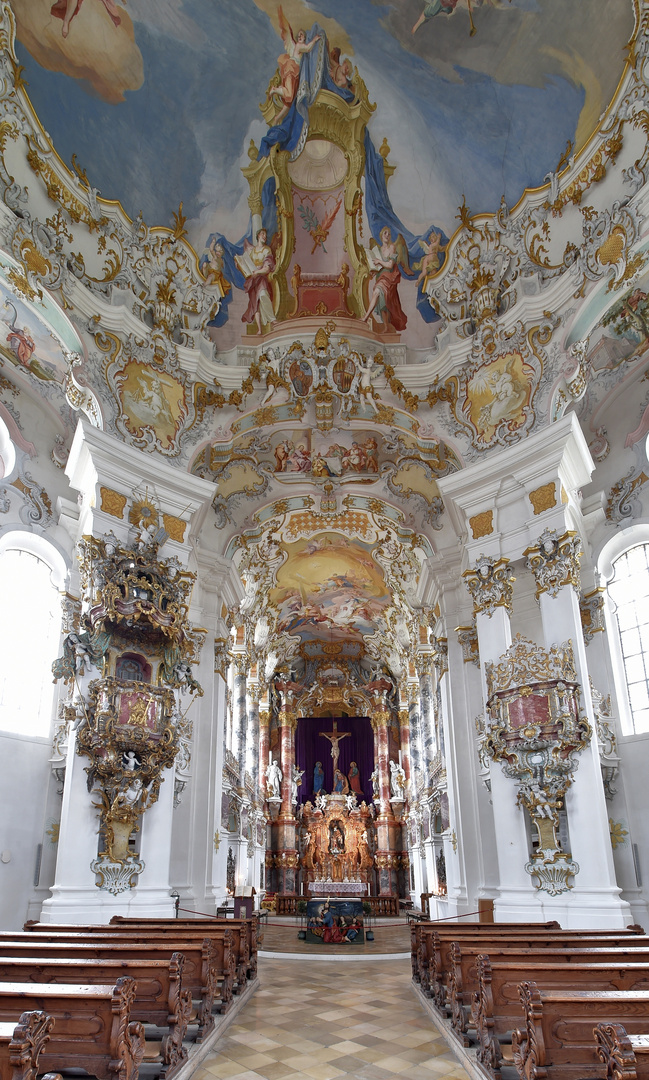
(326, 435)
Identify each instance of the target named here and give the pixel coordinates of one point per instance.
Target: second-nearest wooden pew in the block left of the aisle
(92, 1029)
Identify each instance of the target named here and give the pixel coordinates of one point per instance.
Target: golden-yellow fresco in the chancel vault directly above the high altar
(330, 589)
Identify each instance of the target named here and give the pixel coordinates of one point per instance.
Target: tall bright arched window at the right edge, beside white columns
(629, 592)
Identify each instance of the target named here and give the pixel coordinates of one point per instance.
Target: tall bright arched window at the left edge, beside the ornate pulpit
(30, 632)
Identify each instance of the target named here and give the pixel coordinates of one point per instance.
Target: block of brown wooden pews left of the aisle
(109, 998)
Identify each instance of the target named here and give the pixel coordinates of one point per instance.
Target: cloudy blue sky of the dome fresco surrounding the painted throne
(159, 101)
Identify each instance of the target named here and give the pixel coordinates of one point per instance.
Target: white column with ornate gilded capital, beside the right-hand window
(596, 897)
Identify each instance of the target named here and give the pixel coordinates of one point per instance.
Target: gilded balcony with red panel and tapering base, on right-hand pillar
(536, 730)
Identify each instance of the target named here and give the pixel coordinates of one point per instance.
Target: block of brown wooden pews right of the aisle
(540, 1002)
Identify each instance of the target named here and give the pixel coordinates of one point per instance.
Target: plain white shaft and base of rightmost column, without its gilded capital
(596, 898)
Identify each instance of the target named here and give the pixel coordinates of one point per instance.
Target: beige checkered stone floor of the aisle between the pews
(322, 1020)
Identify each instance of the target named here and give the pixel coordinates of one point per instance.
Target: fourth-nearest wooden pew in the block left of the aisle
(201, 971)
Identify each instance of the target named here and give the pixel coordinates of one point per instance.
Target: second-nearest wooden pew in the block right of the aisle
(558, 1042)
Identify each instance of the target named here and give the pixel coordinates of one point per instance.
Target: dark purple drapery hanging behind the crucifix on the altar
(310, 747)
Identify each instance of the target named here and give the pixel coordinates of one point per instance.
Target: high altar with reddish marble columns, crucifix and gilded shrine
(336, 823)
